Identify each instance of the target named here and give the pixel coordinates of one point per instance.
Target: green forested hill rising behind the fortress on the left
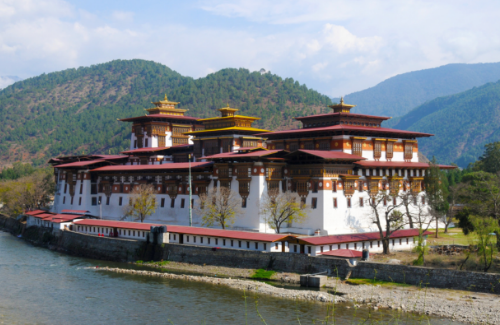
(75, 111)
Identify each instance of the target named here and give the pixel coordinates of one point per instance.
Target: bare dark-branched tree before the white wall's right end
(386, 216)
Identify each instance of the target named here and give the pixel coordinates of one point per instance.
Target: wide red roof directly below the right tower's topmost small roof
(376, 130)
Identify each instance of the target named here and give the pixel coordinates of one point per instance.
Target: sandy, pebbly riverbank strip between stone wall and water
(480, 308)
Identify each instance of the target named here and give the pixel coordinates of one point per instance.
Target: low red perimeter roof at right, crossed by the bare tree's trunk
(367, 236)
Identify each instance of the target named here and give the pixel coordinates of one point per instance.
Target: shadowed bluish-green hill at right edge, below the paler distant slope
(462, 123)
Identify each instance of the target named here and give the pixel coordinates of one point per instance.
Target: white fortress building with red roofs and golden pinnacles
(335, 162)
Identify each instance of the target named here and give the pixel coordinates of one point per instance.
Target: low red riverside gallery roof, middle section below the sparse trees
(233, 234)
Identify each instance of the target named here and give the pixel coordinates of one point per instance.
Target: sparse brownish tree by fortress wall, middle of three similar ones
(219, 206)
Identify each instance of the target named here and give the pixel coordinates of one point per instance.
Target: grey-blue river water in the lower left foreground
(39, 286)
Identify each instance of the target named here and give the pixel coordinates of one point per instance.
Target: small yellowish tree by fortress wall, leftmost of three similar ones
(142, 203)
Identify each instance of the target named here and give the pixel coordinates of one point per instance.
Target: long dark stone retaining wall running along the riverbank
(126, 250)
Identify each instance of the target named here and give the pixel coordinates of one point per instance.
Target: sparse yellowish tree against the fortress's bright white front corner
(285, 207)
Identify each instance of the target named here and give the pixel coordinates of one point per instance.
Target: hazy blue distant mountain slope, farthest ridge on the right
(398, 95)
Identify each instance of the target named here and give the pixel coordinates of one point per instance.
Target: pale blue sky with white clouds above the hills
(335, 47)
